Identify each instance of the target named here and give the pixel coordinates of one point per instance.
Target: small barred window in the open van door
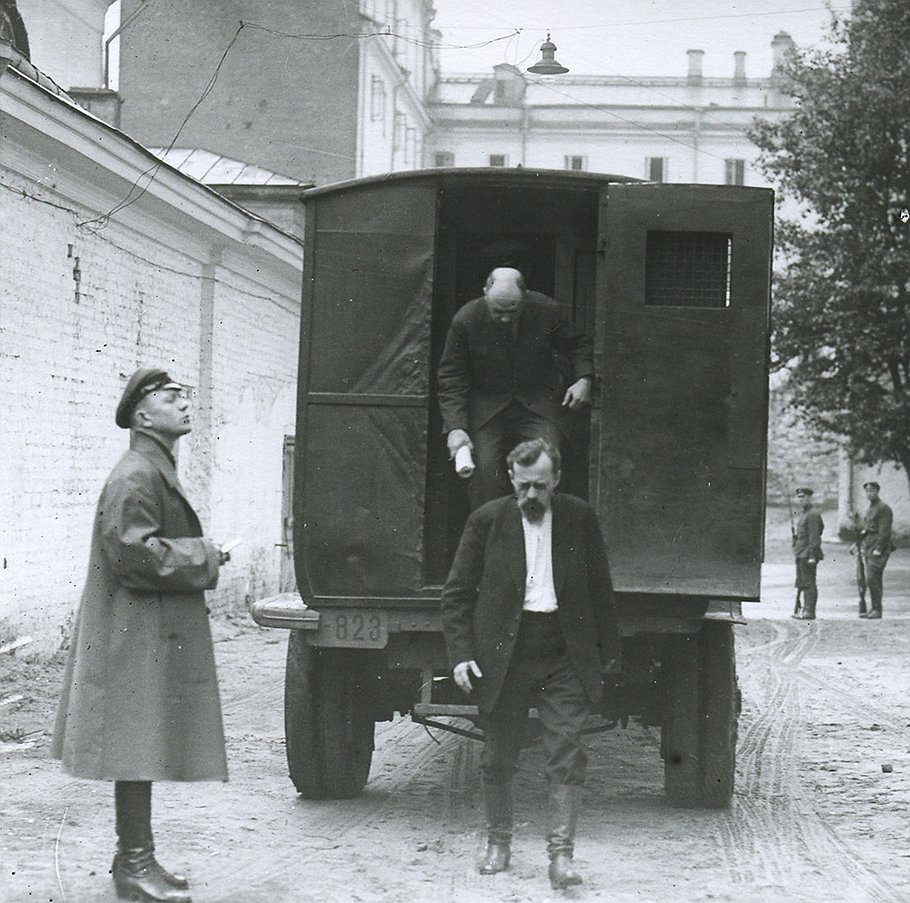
(688, 269)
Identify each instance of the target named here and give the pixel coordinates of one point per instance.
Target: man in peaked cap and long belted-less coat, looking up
(140, 697)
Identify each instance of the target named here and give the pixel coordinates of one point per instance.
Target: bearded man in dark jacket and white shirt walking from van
(528, 615)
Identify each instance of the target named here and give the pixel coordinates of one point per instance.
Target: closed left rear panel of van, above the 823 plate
(363, 392)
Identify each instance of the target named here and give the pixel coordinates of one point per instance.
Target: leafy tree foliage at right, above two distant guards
(841, 322)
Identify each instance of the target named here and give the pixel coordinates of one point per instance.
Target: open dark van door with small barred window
(679, 430)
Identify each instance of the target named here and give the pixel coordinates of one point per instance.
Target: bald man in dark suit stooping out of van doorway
(501, 381)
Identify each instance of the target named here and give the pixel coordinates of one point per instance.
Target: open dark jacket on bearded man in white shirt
(483, 596)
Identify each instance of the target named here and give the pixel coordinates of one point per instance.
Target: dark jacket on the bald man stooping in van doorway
(484, 365)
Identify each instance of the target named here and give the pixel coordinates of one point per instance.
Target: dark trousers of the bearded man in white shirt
(540, 674)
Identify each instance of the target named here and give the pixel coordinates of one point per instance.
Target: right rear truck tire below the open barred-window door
(698, 738)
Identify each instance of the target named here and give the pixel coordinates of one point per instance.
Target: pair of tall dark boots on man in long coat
(137, 874)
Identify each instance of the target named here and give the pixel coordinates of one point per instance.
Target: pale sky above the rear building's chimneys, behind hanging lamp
(628, 37)
